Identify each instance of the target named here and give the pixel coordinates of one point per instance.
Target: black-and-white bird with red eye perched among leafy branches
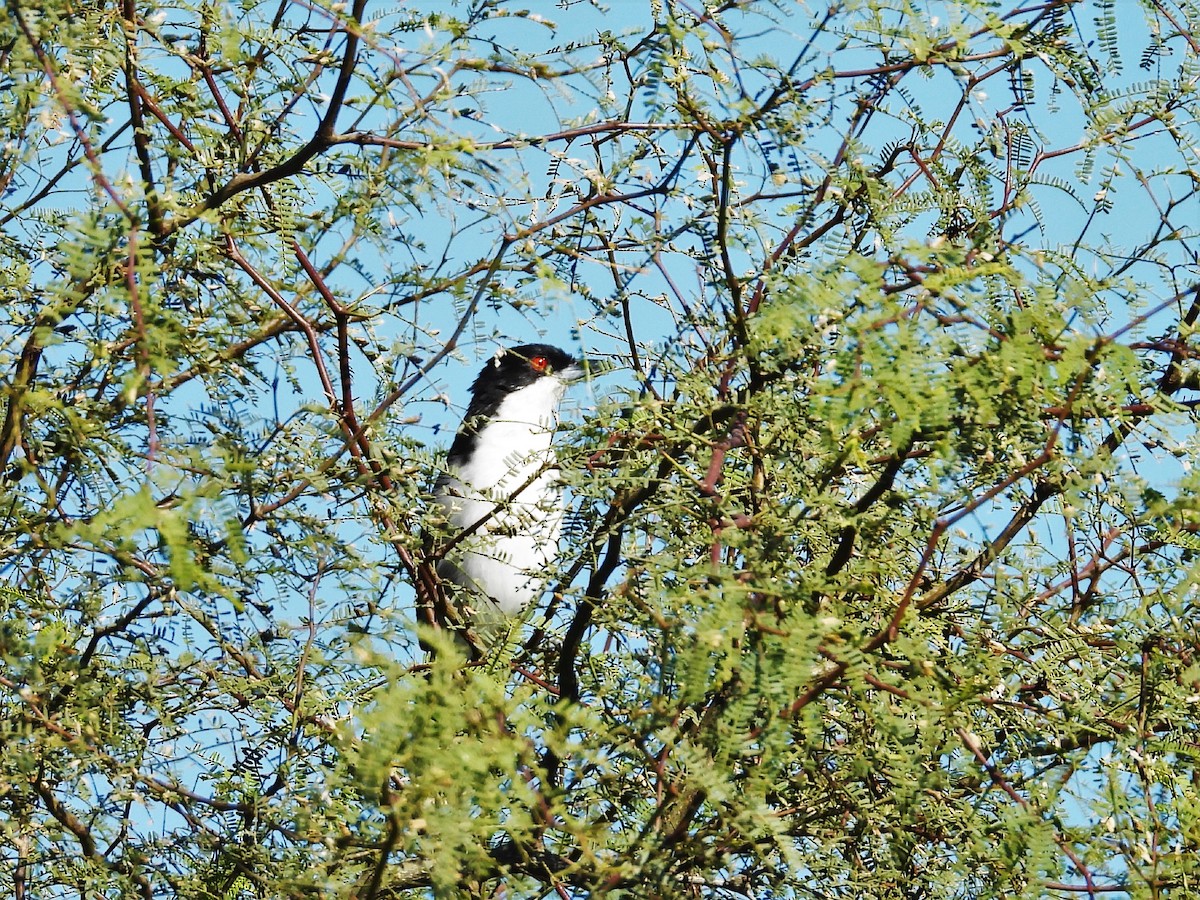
(502, 493)
